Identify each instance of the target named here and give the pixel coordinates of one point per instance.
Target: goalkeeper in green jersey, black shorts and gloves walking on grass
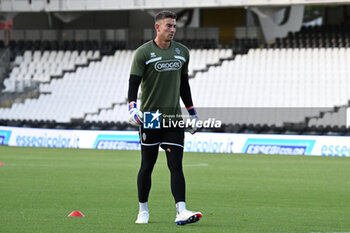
(161, 67)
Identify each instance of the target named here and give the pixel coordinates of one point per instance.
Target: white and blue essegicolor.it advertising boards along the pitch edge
(200, 142)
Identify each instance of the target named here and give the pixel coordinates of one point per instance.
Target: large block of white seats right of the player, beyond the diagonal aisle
(277, 78)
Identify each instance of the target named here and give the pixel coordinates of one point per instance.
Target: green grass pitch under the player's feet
(39, 187)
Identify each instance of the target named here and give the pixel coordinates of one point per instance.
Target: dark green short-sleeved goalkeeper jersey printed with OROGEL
(161, 71)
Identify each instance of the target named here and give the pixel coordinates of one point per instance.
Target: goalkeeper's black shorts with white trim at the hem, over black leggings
(163, 136)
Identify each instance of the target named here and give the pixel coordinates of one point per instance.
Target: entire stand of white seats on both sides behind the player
(282, 79)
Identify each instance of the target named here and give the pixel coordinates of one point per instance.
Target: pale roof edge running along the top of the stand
(93, 5)
